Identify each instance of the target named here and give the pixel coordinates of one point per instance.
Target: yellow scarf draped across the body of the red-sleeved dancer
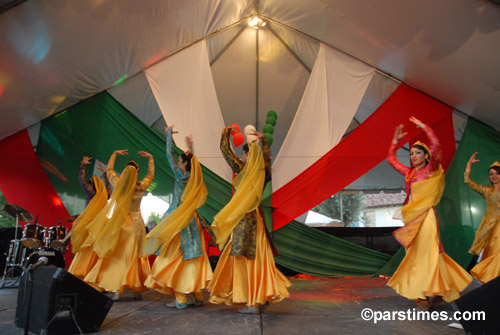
(425, 194)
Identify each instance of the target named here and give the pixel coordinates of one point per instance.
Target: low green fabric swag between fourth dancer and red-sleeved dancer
(310, 251)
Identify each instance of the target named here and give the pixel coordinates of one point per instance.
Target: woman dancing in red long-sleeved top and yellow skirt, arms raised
(426, 271)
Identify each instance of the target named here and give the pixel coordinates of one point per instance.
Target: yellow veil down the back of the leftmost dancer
(79, 232)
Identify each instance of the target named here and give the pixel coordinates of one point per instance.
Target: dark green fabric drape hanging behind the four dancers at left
(97, 127)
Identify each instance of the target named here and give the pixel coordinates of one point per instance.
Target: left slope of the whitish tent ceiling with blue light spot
(56, 53)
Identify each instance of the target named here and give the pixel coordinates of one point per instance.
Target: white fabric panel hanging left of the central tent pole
(184, 89)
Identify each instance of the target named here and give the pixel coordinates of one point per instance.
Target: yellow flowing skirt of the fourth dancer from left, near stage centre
(239, 280)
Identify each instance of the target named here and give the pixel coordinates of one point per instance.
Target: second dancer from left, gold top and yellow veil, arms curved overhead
(117, 232)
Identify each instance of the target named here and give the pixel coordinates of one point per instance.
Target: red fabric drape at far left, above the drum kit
(24, 183)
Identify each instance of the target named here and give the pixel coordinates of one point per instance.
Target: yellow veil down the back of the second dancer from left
(104, 230)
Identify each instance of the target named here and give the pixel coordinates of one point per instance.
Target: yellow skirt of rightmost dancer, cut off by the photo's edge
(489, 266)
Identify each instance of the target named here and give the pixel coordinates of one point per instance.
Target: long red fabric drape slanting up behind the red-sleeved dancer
(362, 150)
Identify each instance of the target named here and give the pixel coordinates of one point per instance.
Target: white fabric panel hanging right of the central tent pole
(335, 89)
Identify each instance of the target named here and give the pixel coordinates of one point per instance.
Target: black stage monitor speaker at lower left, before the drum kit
(60, 302)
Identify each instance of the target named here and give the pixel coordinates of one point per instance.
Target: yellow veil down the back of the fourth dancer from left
(249, 184)
